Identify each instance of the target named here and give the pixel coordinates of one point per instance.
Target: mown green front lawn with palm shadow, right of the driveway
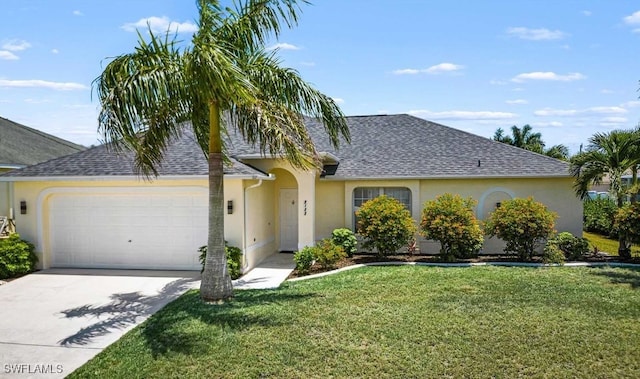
(397, 322)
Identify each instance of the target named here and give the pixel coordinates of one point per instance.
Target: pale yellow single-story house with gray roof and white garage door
(90, 210)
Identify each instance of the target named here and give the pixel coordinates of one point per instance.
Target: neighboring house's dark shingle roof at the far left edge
(22, 146)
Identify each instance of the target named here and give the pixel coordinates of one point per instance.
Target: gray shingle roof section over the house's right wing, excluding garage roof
(396, 146)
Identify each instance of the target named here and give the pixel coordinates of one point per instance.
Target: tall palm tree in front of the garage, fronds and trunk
(223, 79)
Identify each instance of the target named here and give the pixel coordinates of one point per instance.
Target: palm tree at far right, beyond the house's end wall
(612, 153)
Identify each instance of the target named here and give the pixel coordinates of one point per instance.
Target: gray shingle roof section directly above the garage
(183, 157)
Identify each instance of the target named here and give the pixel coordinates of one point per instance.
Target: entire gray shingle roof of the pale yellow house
(383, 146)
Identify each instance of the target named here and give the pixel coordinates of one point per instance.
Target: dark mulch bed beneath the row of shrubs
(373, 258)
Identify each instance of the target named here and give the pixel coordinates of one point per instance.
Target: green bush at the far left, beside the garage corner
(17, 257)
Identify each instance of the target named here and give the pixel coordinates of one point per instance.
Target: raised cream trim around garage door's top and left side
(42, 197)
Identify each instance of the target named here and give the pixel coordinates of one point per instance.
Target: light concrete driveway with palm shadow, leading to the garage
(53, 321)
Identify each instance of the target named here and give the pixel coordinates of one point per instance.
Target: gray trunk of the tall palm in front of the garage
(216, 282)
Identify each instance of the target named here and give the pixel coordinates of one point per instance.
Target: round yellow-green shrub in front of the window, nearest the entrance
(385, 224)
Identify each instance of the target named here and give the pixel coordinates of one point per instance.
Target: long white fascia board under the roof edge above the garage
(125, 178)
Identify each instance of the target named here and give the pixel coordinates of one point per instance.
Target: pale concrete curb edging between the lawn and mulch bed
(502, 264)
